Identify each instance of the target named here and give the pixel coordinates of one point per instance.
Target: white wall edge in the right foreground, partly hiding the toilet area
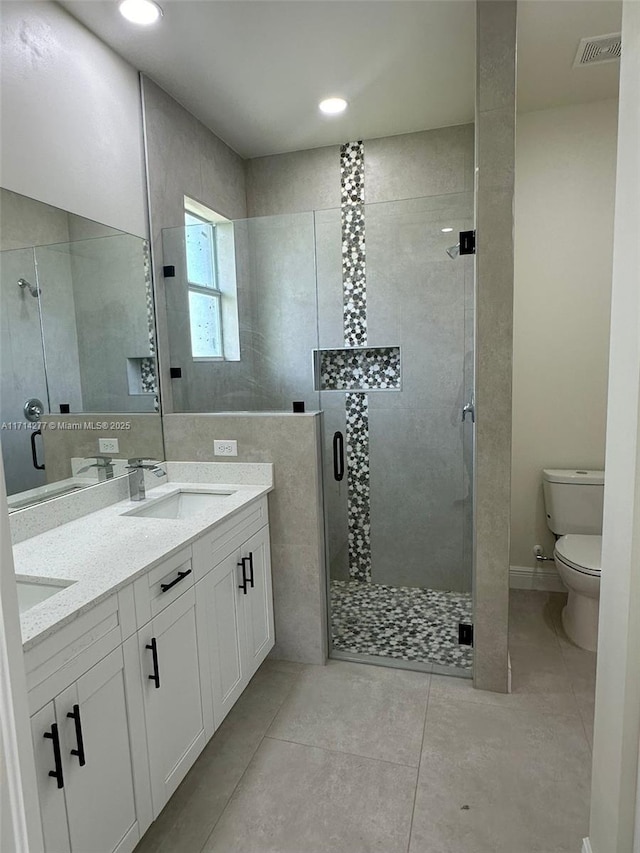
(617, 717)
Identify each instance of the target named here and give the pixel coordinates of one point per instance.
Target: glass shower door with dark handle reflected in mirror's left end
(22, 374)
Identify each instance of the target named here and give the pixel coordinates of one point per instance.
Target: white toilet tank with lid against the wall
(573, 500)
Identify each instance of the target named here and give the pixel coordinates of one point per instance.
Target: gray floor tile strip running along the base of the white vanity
(188, 818)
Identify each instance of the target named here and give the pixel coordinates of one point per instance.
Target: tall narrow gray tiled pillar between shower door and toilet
(495, 120)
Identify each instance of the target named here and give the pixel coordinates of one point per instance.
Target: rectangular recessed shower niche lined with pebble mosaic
(361, 369)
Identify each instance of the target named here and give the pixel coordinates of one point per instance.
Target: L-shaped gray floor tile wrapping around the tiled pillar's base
(539, 682)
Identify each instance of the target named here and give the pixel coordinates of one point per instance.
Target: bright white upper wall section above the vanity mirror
(71, 118)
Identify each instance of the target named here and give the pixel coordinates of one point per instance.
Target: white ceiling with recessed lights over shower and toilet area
(253, 71)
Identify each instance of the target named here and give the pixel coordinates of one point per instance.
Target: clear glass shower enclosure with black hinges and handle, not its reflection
(391, 369)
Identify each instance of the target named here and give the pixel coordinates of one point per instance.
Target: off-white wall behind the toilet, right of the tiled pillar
(564, 204)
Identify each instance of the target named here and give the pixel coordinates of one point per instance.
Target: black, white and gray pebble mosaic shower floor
(407, 623)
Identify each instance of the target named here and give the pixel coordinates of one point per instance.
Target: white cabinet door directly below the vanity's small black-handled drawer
(170, 670)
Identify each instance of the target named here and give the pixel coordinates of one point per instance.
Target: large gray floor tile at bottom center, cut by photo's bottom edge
(300, 799)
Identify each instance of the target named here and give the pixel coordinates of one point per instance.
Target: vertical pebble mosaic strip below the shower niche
(358, 486)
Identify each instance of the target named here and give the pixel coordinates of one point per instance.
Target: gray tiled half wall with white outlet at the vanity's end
(292, 444)
